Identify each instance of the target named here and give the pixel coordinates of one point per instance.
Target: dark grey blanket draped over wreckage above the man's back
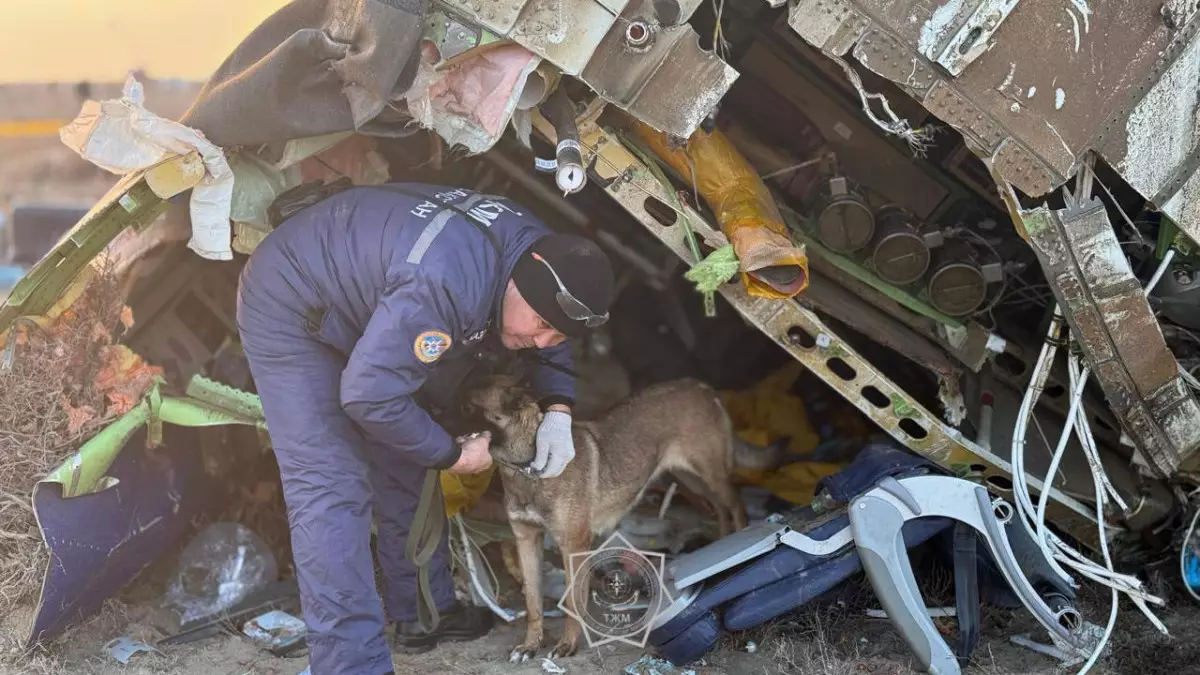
(315, 68)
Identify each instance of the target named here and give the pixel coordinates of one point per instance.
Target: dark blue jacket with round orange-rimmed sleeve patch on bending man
(395, 284)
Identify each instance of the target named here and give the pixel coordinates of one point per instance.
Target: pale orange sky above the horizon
(101, 40)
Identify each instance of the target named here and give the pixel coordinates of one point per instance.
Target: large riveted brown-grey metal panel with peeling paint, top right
(1035, 86)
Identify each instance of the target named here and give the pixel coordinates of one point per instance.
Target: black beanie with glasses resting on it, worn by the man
(583, 267)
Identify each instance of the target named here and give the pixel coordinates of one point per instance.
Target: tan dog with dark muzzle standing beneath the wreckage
(679, 427)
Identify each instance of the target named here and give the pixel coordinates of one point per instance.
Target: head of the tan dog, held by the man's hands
(507, 409)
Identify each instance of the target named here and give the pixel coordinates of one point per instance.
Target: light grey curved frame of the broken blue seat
(877, 523)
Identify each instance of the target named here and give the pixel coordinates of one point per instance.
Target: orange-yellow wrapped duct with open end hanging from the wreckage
(747, 213)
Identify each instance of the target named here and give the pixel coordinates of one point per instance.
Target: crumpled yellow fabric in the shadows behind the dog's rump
(769, 413)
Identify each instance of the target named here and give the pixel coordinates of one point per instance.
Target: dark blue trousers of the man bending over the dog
(335, 481)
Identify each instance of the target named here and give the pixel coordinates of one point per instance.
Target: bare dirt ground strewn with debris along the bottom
(831, 641)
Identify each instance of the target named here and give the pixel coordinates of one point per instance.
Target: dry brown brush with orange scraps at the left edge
(65, 385)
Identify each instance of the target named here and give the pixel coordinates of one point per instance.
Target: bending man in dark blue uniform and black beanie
(359, 315)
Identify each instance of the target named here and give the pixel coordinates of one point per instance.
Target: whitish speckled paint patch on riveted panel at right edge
(1162, 130)
